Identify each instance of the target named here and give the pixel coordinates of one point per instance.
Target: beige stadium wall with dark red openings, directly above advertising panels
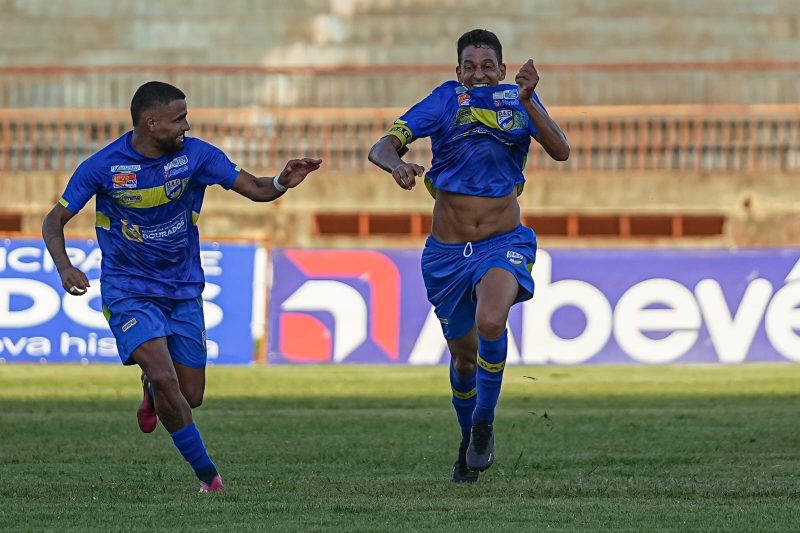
(365, 209)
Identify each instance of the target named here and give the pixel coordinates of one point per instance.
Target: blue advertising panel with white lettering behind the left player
(39, 322)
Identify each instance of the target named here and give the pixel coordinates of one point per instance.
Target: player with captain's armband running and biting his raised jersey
(477, 261)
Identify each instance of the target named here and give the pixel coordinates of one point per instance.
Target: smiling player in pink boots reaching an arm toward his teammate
(149, 185)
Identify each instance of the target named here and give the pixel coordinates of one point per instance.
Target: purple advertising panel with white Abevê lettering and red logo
(591, 307)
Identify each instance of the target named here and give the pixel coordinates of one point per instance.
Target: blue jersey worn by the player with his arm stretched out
(147, 211)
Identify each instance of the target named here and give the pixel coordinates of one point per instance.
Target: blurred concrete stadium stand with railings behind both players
(683, 131)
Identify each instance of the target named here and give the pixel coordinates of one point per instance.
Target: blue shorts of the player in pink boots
(135, 319)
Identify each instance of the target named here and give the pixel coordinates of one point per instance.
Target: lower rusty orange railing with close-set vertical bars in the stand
(625, 138)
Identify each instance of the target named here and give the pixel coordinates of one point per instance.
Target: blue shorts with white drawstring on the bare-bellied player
(451, 272)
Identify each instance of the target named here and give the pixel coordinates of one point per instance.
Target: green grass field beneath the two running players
(370, 449)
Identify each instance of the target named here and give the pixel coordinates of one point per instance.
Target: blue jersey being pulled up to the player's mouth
(480, 137)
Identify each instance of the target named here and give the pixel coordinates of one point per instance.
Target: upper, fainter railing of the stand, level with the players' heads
(655, 83)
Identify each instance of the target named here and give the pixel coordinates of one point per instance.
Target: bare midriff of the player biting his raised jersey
(460, 218)
